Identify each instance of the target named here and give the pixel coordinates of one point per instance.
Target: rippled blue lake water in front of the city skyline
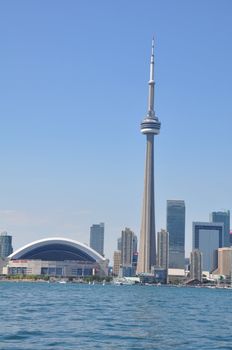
(74, 316)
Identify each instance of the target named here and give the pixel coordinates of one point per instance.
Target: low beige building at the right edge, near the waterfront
(224, 261)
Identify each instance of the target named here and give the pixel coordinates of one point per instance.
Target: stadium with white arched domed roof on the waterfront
(57, 257)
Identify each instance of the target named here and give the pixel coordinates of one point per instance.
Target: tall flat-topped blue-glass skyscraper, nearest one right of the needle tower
(176, 230)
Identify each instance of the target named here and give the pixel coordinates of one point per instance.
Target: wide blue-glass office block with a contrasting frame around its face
(208, 237)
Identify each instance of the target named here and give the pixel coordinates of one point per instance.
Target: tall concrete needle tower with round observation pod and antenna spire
(150, 126)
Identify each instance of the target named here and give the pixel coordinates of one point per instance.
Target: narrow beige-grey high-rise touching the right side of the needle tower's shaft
(163, 249)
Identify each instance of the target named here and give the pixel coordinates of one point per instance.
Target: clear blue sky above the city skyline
(73, 90)
